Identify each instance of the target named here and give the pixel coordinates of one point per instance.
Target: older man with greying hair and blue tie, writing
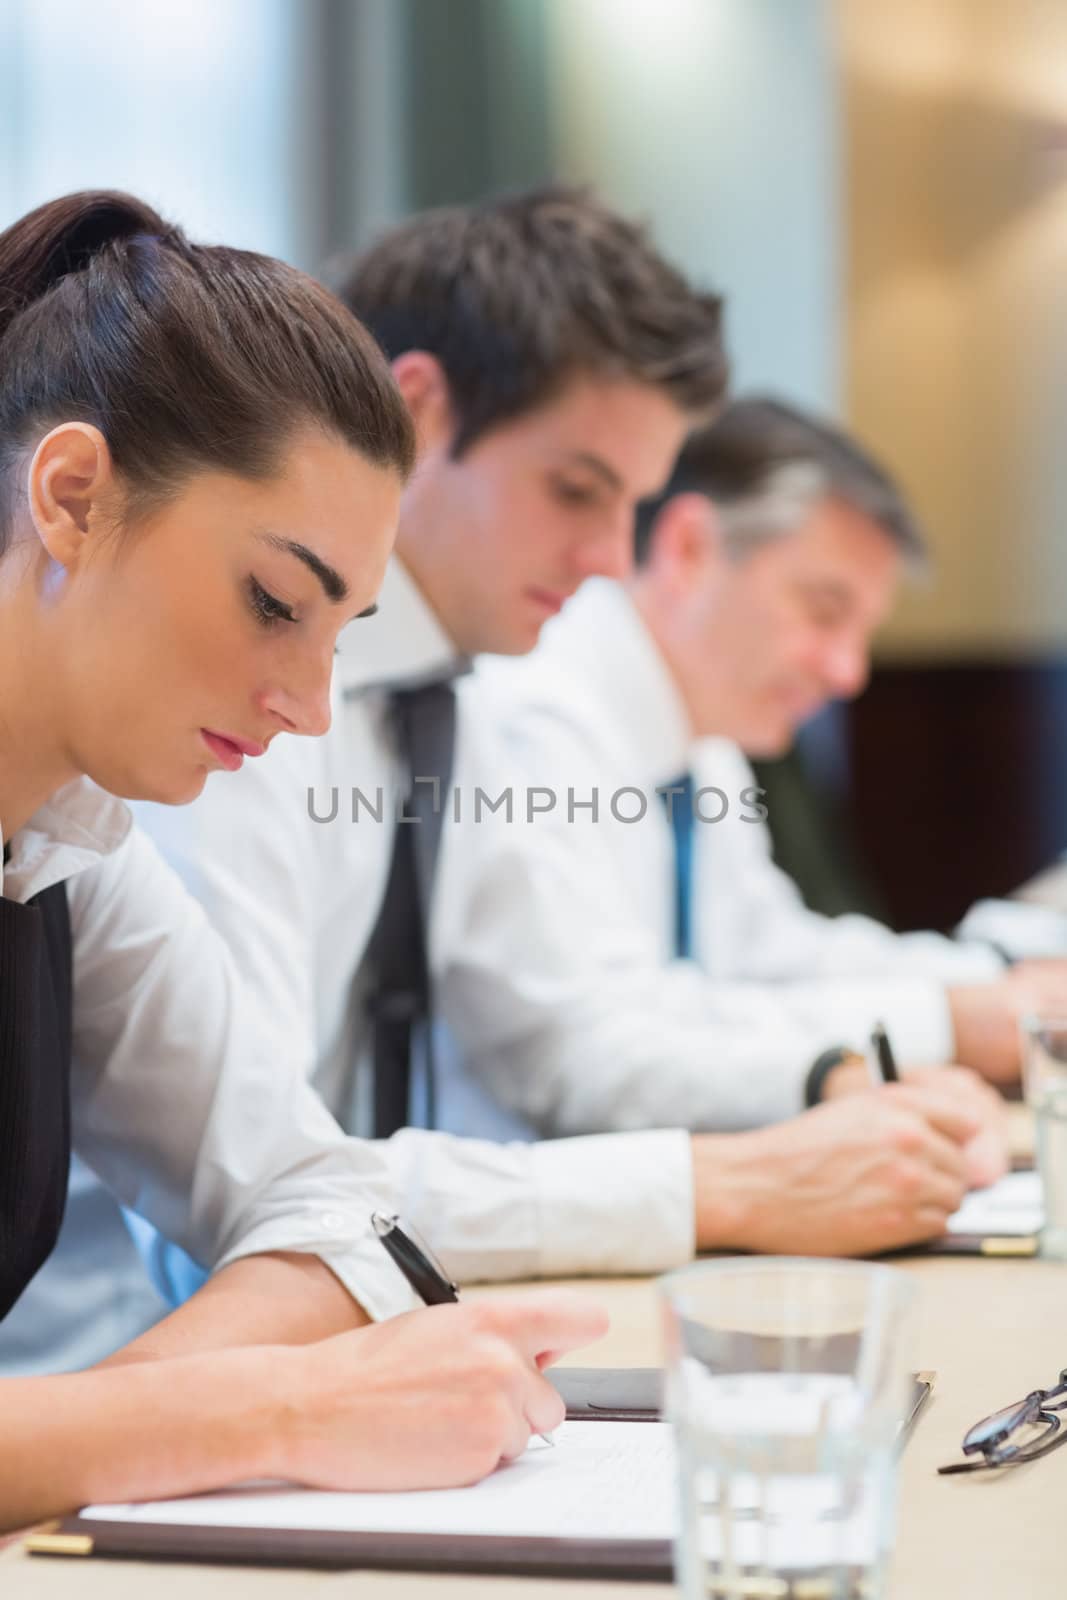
(692, 985)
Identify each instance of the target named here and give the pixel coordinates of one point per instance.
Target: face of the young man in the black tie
(500, 538)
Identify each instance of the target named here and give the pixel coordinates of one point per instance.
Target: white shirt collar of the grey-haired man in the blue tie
(617, 657)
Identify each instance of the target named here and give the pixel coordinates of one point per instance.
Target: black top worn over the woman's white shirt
(36, 1006)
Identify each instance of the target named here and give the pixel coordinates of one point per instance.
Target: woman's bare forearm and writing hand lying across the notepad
(425, 1401)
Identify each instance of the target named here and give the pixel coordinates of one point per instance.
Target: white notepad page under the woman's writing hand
(602, 1481)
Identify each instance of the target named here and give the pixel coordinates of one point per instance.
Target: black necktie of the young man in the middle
(401, 996)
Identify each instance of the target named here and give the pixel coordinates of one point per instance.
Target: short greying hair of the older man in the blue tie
(764, 457)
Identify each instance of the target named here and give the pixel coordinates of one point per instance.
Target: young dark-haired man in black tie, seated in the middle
(346, 882)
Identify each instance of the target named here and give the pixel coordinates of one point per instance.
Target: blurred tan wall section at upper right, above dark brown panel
(956, 318)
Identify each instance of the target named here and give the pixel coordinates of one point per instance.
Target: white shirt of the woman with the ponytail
(185, 1103)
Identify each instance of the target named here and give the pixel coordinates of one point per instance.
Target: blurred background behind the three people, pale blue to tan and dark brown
(881, 191)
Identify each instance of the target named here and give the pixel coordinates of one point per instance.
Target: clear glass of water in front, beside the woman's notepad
(788, 1386)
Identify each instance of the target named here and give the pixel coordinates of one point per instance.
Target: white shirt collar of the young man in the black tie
(402, 646)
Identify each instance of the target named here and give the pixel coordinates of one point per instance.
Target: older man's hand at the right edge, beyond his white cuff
(986, 1017)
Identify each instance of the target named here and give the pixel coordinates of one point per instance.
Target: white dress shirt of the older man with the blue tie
(724, 1039)
